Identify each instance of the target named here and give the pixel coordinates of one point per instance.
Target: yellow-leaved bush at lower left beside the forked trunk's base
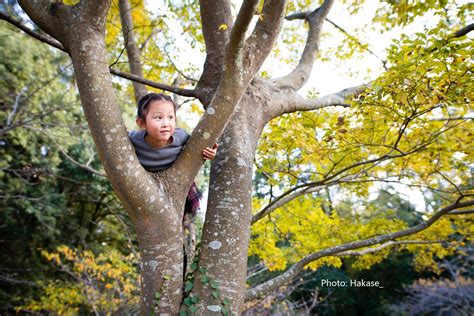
(104, 284)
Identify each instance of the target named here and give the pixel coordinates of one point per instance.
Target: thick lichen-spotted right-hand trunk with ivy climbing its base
(225, 237)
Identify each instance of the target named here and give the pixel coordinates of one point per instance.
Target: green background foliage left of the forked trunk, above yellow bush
(46, 198)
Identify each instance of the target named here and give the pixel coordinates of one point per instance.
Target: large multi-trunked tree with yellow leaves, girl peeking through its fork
(391, 131)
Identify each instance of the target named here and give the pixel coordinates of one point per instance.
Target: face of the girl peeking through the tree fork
(160, 123)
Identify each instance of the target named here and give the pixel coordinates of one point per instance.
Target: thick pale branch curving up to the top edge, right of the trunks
(300, 75)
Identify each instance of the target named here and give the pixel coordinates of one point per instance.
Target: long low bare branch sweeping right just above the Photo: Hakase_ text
(284, 278)
